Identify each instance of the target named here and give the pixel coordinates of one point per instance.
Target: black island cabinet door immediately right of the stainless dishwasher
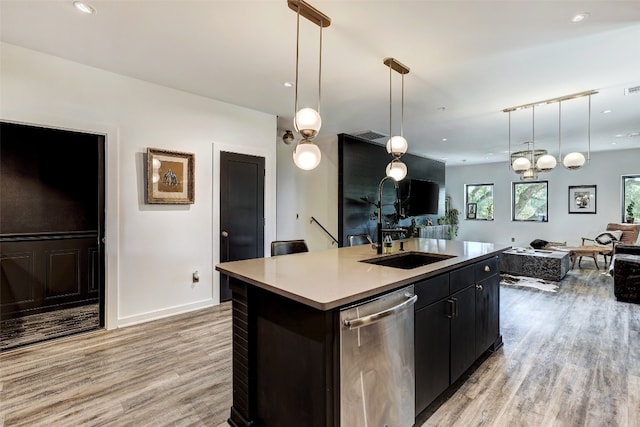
(431, 352)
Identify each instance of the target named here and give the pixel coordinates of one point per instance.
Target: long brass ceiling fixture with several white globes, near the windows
(529, 162)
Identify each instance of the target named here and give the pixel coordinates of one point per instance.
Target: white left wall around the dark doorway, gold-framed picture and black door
(151, 250)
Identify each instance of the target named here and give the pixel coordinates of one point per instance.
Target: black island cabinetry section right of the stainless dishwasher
(456, 321)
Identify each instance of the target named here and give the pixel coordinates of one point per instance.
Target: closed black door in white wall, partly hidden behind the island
(241, 211)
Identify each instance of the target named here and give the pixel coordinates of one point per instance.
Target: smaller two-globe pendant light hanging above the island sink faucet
(396, 145)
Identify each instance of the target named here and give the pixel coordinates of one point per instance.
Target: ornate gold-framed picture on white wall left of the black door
(170, 177)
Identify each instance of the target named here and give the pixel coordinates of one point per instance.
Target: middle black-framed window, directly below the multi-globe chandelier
(530, 201)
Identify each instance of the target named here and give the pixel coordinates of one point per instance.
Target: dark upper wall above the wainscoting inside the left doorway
(49, 180)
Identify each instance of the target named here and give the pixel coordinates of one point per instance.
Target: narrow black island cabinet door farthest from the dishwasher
(487, 313)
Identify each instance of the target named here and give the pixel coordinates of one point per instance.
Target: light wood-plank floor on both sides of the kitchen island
(570, 358)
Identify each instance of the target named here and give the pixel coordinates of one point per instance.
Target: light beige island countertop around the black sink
(335, 277)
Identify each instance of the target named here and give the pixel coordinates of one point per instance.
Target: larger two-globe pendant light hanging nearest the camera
(307, 121)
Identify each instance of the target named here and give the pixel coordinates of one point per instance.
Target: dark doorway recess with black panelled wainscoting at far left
(51, 220)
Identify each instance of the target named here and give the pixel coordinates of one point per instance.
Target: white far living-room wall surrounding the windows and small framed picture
(605, 171)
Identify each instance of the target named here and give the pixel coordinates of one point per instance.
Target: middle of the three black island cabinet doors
(463, 331)
